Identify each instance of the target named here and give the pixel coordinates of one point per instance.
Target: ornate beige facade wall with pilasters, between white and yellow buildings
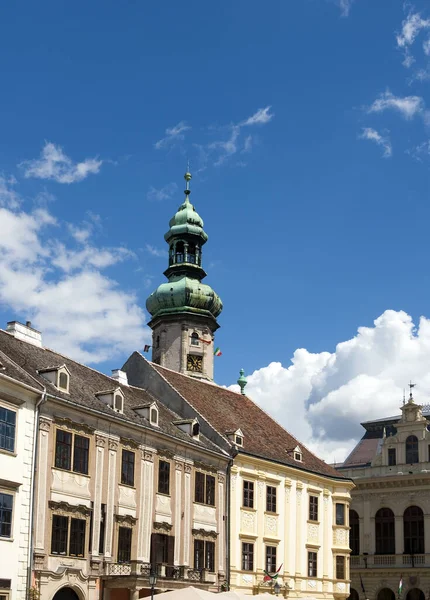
(139, 507)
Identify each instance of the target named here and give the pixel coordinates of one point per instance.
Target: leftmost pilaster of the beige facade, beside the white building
(43, 485)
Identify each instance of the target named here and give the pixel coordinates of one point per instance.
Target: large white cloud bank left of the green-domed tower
(80, 310)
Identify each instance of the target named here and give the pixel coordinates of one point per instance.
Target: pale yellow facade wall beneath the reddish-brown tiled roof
(289, 529)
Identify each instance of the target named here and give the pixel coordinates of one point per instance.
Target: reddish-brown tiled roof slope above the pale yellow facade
(227, 411)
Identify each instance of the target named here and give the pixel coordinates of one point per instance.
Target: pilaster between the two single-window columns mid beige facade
(146, 505)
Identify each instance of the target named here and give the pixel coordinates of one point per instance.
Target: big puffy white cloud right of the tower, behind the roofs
(322, 398)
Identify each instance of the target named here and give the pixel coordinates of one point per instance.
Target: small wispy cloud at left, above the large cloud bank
(57, 166)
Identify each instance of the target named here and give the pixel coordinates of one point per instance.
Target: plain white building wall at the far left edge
(16, 481)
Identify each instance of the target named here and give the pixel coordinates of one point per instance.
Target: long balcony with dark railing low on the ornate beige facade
(164, 572)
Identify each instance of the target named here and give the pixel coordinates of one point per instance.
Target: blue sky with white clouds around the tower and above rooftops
(306, 126)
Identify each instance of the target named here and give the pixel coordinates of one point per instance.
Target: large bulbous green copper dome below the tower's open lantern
(184, 294)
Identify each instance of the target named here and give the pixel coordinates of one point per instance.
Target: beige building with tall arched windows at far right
(390, 508)
